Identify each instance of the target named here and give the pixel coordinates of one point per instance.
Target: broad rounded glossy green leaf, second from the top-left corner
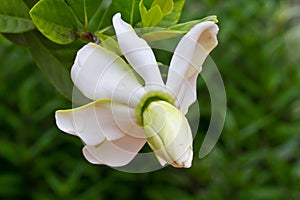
(55, 20)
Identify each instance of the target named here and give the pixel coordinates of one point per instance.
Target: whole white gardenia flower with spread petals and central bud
(131, 105)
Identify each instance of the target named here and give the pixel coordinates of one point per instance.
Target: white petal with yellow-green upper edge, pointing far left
(98, 121)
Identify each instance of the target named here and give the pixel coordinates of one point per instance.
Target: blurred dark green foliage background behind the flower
(257, 156)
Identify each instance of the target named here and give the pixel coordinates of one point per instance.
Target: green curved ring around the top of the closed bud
(147, 99)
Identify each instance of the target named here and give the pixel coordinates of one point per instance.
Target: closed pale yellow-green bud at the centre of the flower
(168, 134)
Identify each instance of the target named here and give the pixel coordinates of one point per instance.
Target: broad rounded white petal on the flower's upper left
(99, 73)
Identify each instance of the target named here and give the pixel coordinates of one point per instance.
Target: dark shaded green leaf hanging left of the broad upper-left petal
(55, 66)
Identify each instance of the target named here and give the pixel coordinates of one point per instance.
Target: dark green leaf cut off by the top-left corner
(14, 17)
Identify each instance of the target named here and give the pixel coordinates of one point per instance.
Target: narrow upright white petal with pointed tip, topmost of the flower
(137, 52)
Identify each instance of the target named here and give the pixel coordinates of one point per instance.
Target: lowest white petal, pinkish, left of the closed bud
(114, 153)
